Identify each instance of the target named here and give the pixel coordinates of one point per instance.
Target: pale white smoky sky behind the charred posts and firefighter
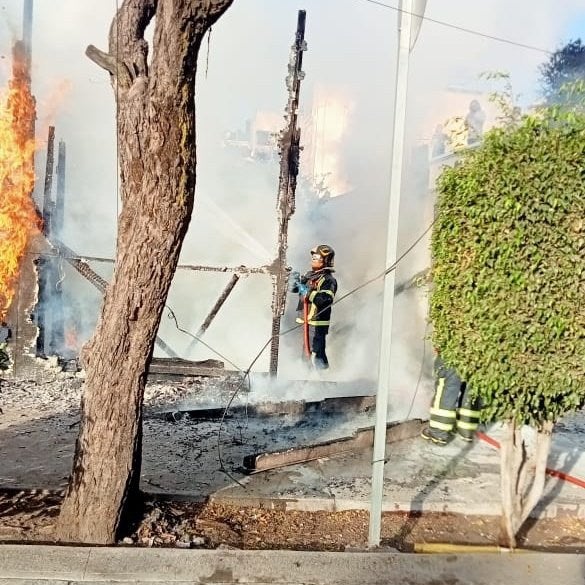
(351, 51)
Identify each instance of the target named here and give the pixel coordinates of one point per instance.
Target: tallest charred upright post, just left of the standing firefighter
(287, 183)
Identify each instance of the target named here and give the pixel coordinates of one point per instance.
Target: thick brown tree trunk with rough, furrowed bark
(156, 142)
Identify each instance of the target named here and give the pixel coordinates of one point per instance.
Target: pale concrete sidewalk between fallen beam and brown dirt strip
(419, 476)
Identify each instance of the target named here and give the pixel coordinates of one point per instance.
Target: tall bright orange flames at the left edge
(18, 217)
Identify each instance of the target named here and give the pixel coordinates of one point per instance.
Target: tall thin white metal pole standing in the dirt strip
(408, 27)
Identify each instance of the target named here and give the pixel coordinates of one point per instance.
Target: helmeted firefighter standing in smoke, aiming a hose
(316, 290)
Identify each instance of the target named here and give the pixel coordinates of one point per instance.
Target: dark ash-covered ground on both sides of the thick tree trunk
(40, 422)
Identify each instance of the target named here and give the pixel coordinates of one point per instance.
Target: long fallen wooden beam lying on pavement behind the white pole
(361, 439)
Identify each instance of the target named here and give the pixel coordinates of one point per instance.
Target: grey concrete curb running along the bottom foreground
(47, 565)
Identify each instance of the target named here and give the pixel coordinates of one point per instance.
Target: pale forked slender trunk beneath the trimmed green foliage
(522, 478)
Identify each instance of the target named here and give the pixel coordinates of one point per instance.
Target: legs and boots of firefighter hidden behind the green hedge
(452, 410)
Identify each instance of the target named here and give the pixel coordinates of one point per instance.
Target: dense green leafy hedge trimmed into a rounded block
(508, 246)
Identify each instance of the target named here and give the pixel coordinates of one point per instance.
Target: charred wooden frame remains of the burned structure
(43, 315)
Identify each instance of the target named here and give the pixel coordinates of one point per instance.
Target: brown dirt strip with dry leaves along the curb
(30, 516)
